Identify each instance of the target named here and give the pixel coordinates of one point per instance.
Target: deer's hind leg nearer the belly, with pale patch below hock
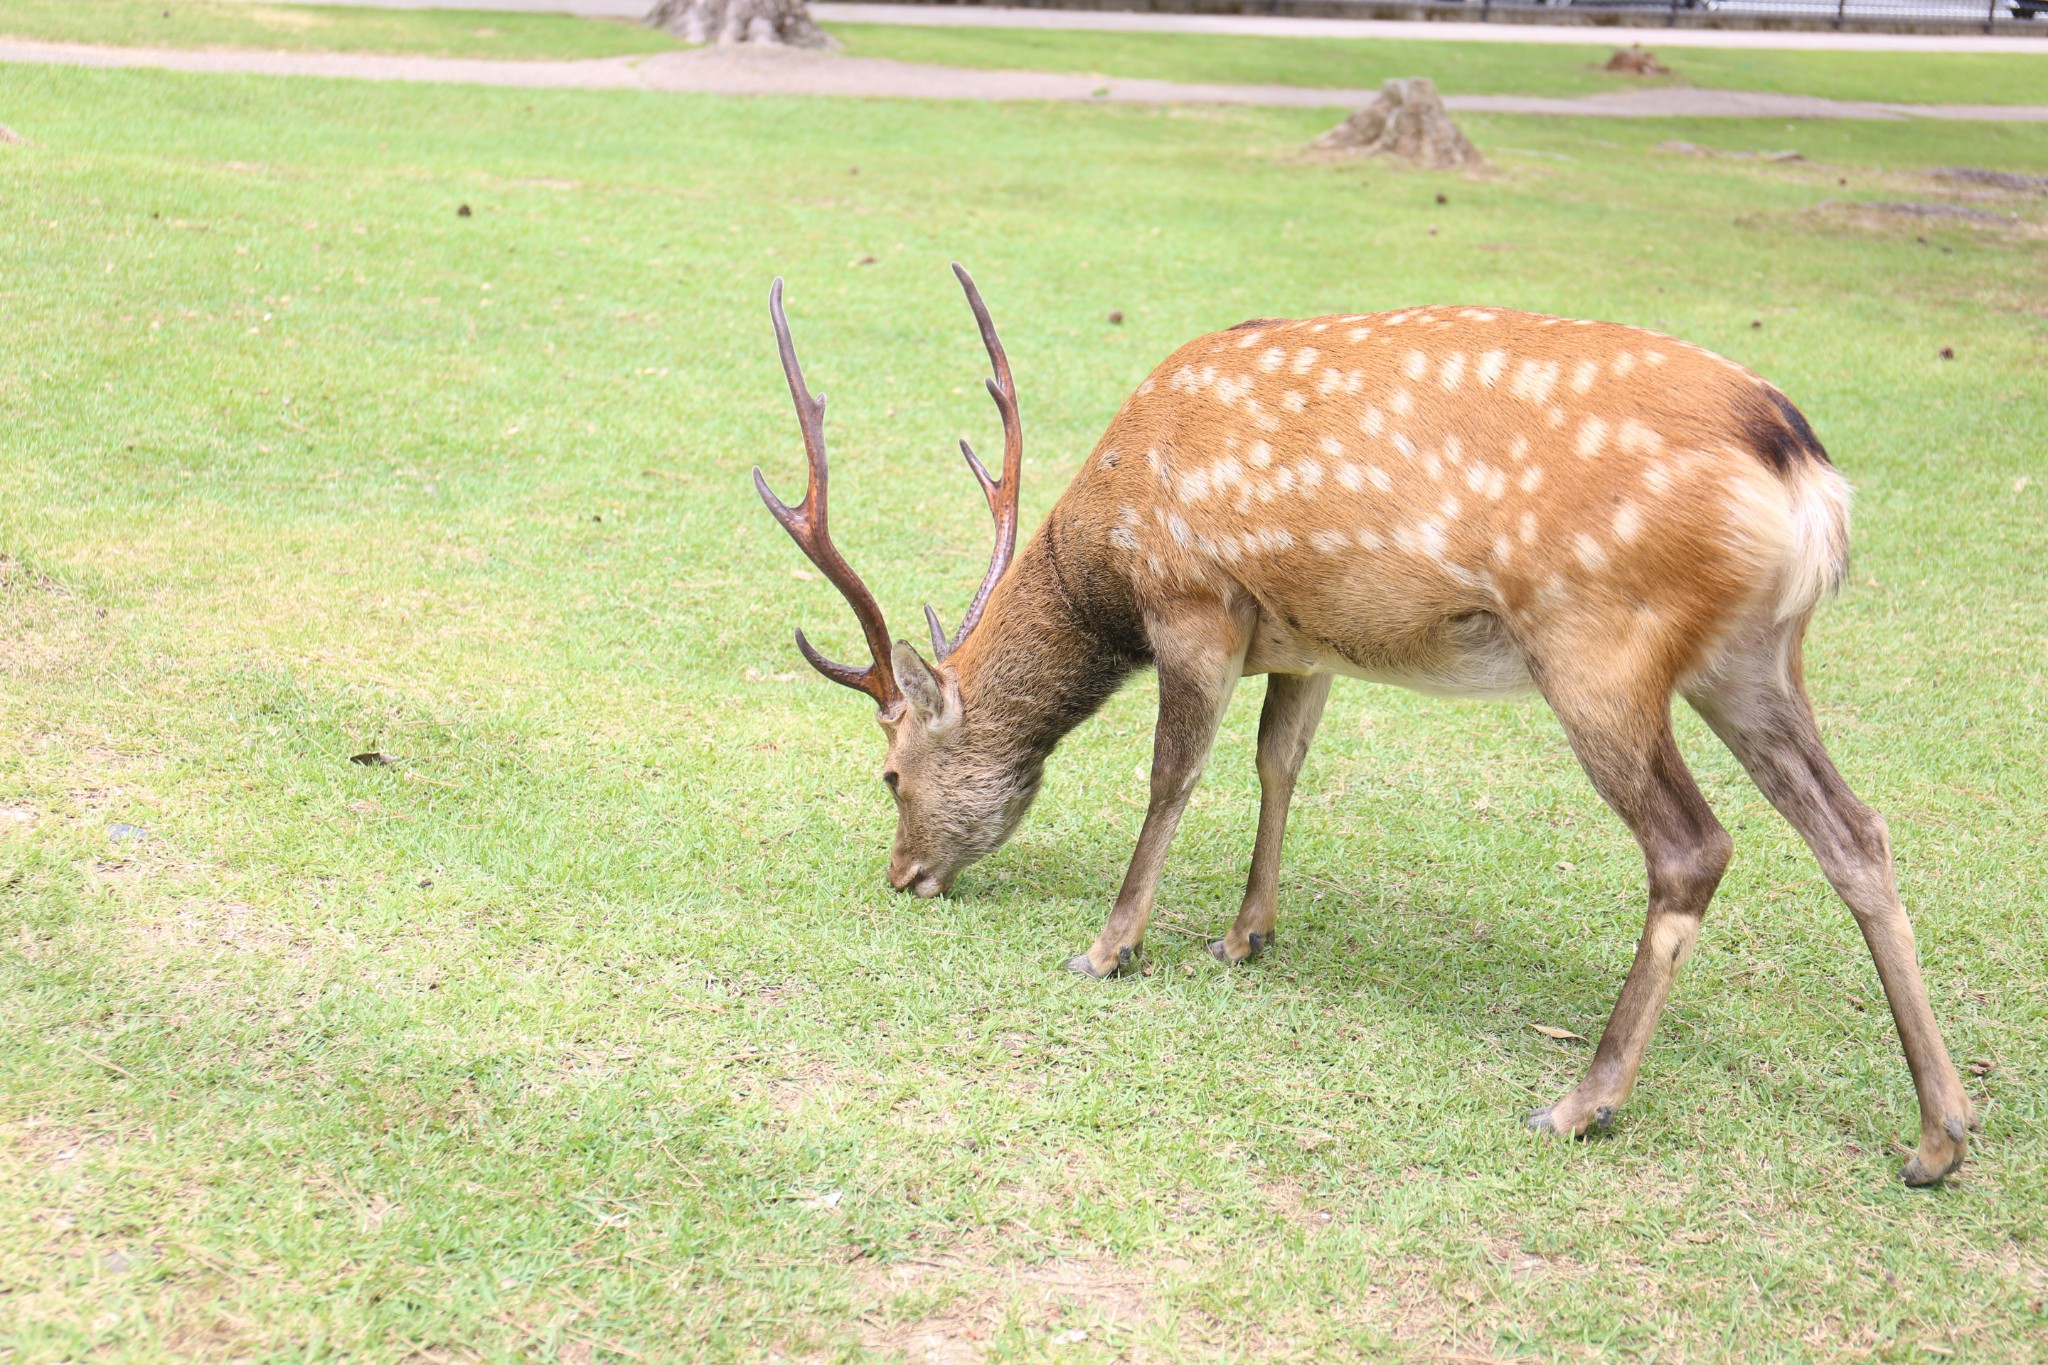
(1623, 738)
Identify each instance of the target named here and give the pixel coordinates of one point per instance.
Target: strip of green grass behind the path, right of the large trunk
(1463, 69)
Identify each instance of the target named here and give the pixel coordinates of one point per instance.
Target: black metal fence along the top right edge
(2016, 17)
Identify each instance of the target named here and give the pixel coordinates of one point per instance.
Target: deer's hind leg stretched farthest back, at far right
(1756, 701)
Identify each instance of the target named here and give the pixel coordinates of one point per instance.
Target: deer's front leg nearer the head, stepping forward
(1201, 652)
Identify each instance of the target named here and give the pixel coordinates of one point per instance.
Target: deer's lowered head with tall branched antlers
(957, 787)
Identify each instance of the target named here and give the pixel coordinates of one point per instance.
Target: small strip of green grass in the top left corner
(308, 28)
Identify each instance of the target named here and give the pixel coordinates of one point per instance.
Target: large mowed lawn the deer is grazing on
(589, 1030)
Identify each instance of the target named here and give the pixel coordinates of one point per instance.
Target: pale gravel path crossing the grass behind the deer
(763, 71)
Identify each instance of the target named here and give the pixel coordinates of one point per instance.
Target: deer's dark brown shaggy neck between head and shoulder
(1050, 652)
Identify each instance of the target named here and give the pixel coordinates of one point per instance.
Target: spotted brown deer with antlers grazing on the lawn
(1459, 500)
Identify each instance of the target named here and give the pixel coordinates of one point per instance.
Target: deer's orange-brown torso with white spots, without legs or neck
(1379, 484)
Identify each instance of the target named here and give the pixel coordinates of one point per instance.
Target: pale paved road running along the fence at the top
(1254, 26)
